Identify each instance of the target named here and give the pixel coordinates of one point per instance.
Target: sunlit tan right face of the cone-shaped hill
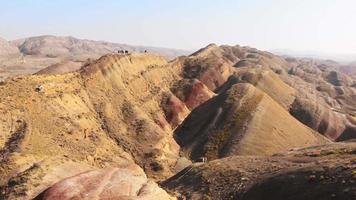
(272, 129)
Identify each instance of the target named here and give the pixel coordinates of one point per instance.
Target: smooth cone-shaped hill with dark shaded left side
(242, 121)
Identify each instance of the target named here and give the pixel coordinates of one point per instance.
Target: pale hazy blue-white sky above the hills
(308, 25)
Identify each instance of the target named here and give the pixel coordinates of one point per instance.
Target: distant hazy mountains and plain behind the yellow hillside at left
(62, 54)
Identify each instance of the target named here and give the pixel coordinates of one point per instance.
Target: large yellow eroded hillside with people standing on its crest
(109, 113)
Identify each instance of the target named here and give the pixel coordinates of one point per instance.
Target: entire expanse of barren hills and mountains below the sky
(225, 122)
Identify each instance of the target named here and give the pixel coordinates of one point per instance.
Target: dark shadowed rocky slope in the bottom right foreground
(314, 173)
